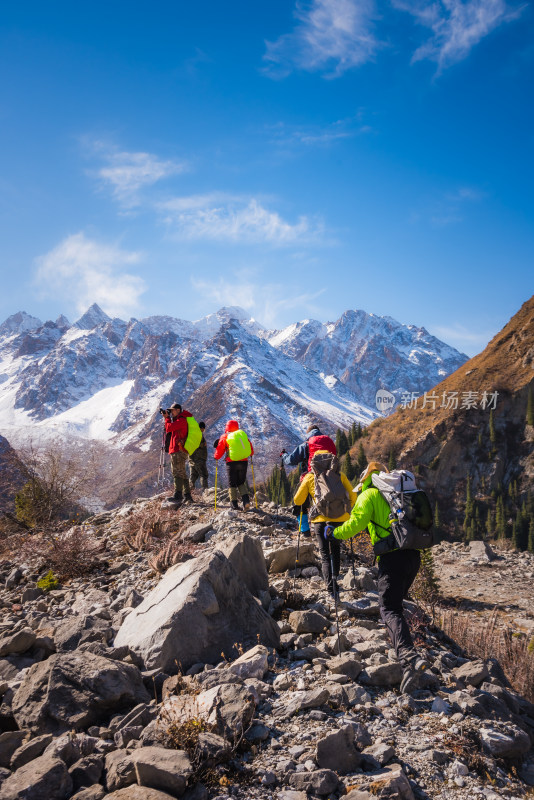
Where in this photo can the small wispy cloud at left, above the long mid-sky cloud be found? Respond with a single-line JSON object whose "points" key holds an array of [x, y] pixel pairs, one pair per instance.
{"points": [[127, 173]]}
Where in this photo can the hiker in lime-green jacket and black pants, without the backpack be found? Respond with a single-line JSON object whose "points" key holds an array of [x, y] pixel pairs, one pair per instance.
{"points": [[397, 571]]}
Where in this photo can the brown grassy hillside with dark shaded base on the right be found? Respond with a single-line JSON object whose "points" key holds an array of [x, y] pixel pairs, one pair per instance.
{"points": [[494, 448]]}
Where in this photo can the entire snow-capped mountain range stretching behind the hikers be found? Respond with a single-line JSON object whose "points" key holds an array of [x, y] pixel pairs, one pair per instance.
{"points": [[105, 379]]}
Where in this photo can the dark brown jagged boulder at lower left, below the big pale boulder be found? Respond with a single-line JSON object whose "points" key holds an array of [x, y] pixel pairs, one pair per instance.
{"points": [[71, 691]]}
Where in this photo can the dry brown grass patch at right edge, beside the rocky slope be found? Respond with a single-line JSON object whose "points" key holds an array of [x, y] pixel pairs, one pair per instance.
{"points": [[487, 639]]}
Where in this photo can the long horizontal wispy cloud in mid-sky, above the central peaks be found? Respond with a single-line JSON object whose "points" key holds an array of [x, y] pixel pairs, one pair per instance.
{"points": [[225, 217]]}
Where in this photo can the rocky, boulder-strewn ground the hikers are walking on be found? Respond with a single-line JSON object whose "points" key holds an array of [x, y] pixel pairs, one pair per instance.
{"points": [[193, 662]]}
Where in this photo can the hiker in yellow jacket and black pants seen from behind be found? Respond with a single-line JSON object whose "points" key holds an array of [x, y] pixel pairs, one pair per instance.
{"points": [[335, 511]]}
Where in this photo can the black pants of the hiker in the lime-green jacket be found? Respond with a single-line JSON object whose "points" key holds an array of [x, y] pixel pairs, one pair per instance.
{"points": [[396, 573]]}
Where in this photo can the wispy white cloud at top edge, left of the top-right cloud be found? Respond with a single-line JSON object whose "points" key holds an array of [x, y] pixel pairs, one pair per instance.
{"points": [[334, 35]]}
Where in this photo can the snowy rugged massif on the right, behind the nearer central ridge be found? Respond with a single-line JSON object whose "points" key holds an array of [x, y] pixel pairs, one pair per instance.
{"points": [[368, 352]]}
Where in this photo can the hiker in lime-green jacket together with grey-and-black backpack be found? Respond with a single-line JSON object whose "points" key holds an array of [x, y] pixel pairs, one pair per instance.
{"points": [[398, 518]]}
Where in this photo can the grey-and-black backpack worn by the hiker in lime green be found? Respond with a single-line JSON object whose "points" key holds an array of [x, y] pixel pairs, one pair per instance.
{"points": [[410, 513]]}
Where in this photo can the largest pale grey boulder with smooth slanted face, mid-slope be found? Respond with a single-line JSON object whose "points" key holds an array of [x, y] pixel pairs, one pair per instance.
{"points": [[199, 609]]}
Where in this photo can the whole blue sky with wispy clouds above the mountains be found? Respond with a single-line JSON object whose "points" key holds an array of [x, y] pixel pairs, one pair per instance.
{"points": [[296, 159]]}
